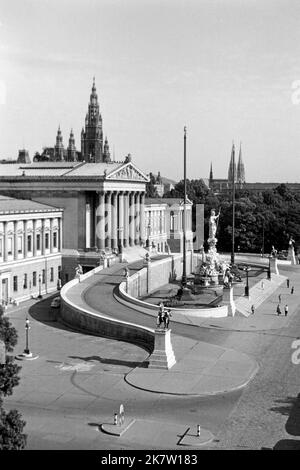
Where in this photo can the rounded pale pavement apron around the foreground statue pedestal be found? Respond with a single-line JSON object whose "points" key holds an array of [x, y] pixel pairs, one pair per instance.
{"points": [[201, 369]]}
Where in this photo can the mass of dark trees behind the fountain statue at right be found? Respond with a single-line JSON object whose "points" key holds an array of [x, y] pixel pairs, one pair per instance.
{"points": [[262, 219]]}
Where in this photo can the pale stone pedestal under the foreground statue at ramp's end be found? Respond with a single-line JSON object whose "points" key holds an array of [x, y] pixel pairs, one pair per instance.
{"points": [[163, 355]]}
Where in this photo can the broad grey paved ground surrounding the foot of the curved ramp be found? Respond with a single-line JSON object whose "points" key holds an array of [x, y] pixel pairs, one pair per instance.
{"points": [[79, 381]]}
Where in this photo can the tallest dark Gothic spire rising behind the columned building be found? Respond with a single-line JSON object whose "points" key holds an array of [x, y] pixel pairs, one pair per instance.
{"points": [[92, 136]]}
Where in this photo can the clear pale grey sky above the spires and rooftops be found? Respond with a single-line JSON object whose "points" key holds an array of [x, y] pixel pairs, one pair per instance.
{"points": [[228, 70]]}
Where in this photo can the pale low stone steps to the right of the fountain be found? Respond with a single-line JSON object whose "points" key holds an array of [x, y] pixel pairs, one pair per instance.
{"points": [[258, 295]]}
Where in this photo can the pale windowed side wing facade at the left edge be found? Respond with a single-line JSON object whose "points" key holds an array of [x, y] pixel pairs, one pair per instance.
{"points": [[30, 249]]}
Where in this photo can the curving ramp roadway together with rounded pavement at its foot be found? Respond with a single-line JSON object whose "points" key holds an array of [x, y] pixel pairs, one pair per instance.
{"points": [[202, 369]]}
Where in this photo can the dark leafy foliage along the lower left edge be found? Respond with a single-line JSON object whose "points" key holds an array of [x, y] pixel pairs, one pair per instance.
{"points": [[11, 423]]}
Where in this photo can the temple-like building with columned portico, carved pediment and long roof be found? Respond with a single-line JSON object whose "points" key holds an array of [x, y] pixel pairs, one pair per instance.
{"points": [[103, 203]]}
